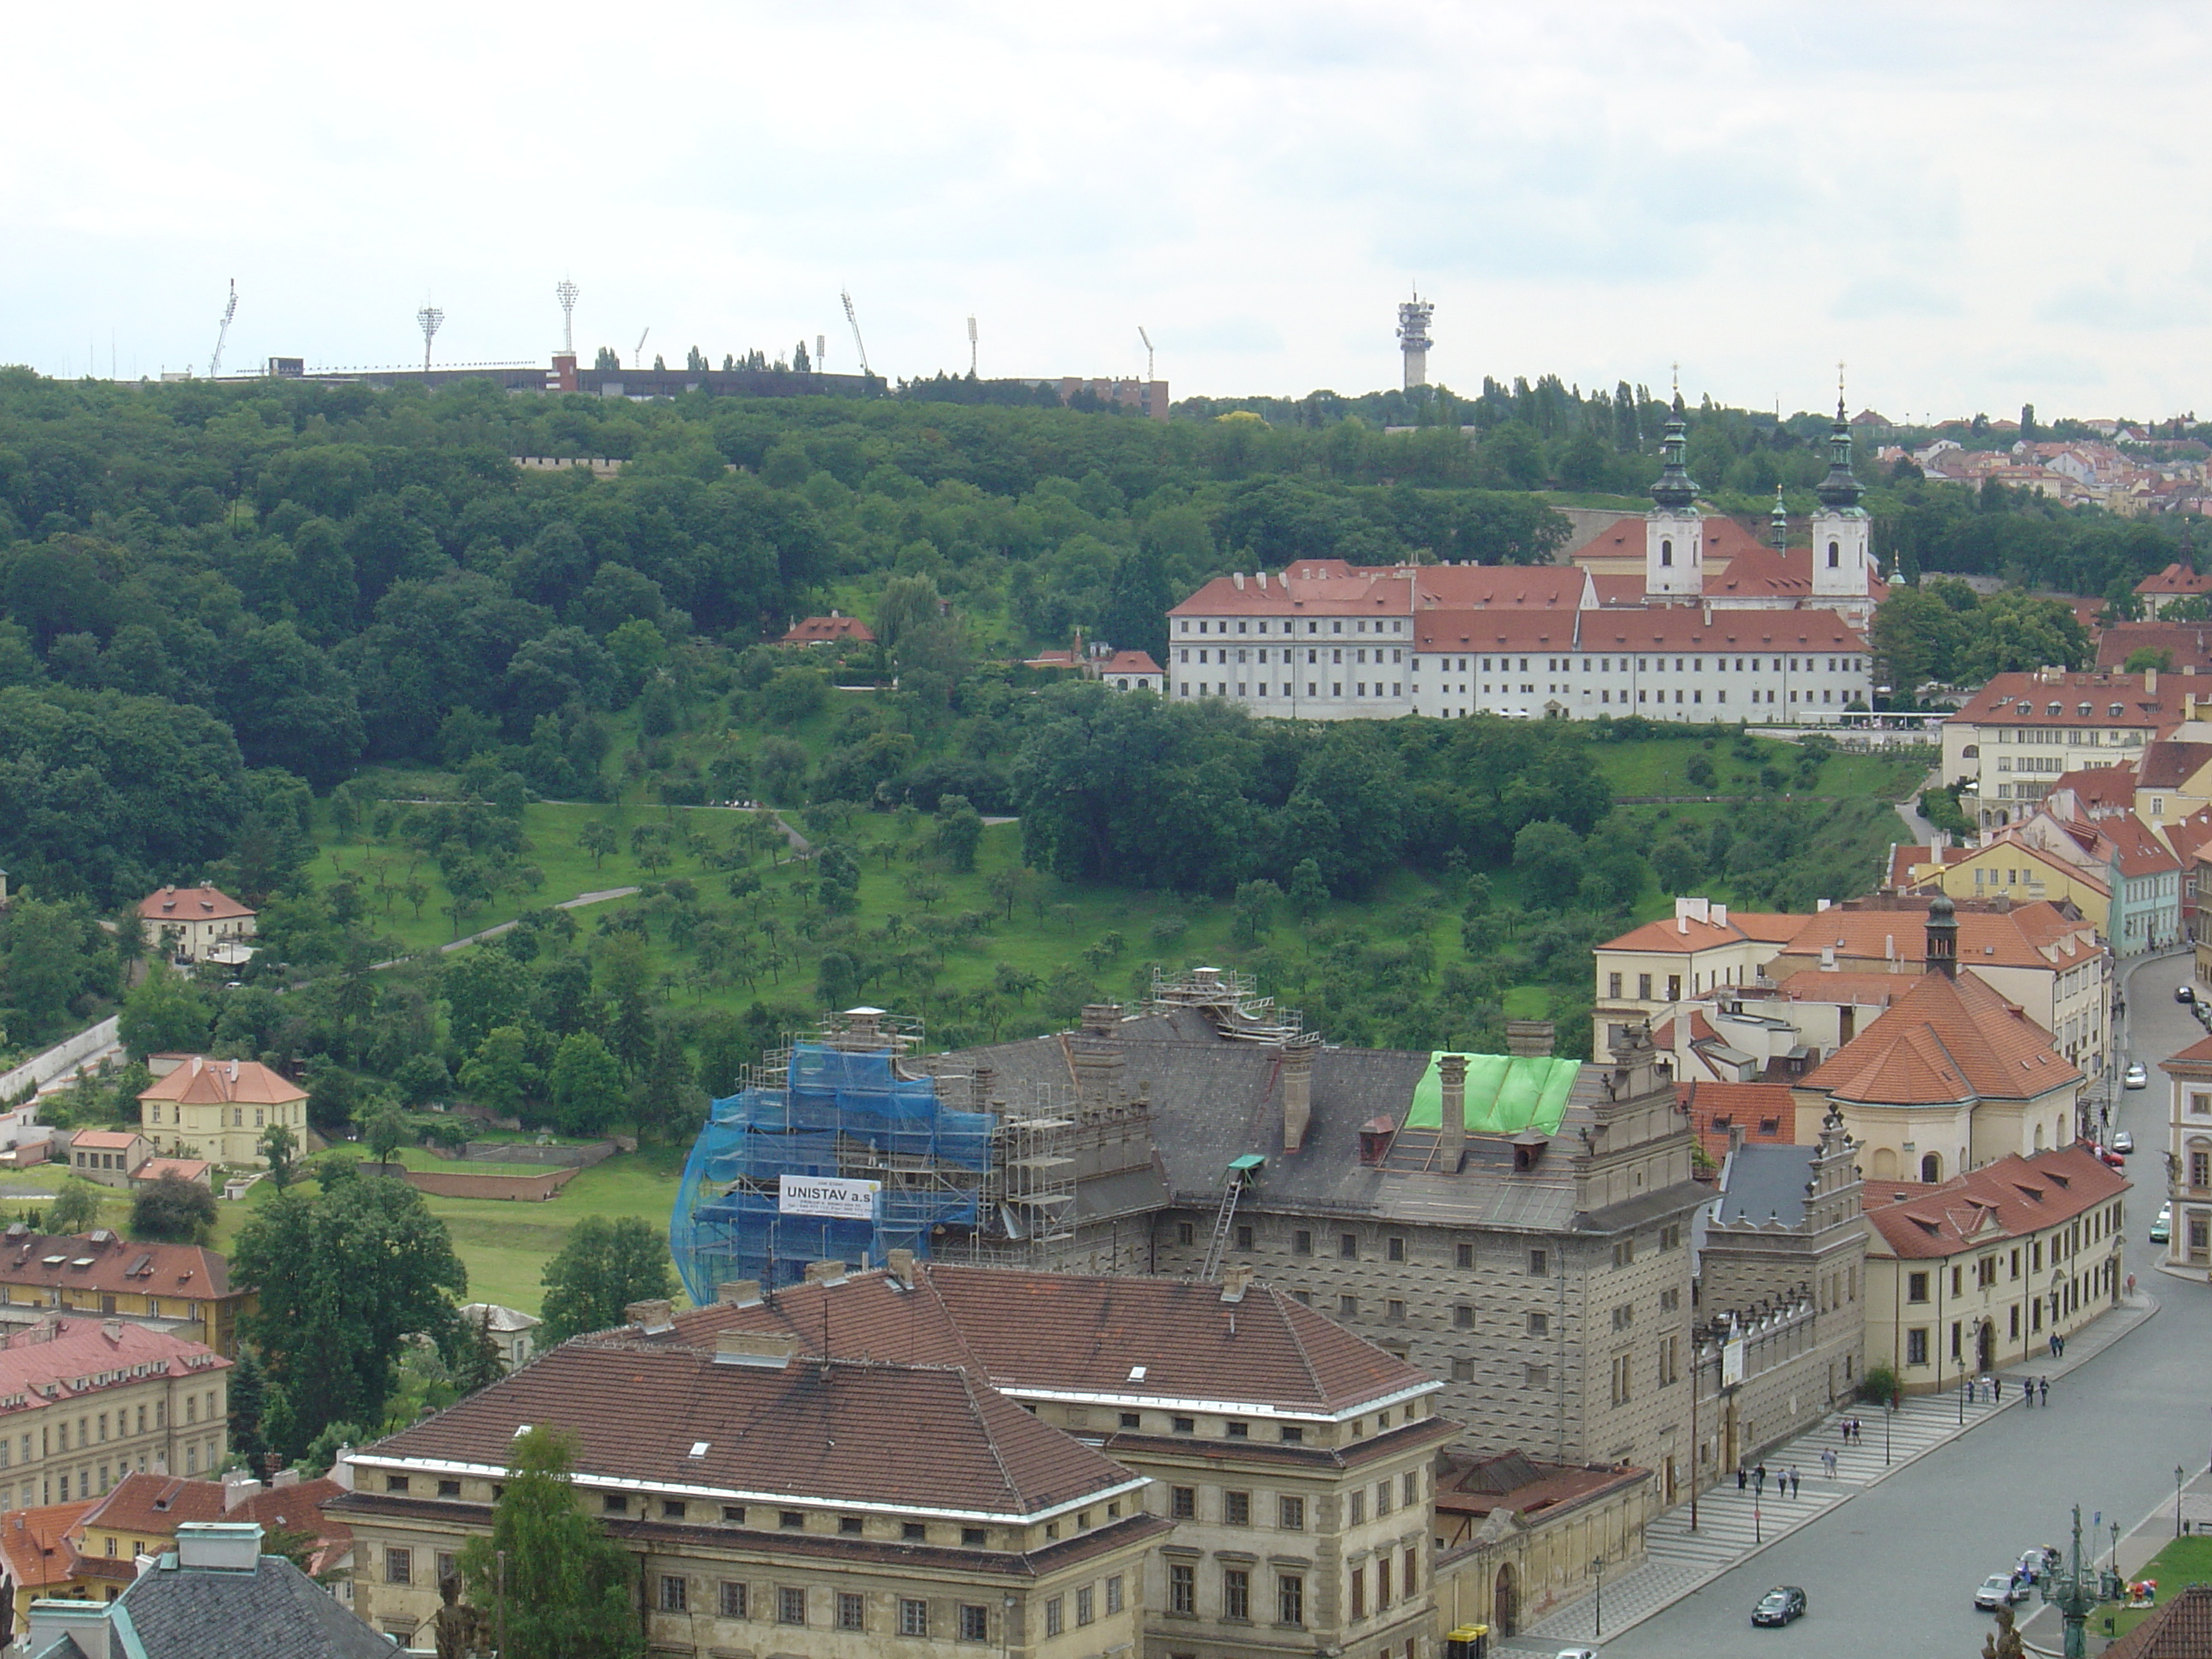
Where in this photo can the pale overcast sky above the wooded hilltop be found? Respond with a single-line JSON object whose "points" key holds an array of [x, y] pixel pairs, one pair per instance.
{"points": [[1972, 205]]}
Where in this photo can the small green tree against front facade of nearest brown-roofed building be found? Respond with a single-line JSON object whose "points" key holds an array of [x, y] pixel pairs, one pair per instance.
{"points": [[561, 1583]]}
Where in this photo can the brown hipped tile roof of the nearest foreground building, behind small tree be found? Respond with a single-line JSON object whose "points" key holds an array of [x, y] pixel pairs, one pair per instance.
{"points": [[842, 1432]]}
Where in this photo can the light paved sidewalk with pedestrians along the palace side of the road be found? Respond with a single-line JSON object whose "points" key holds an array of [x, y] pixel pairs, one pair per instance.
{"points": [[1729, 1530]]}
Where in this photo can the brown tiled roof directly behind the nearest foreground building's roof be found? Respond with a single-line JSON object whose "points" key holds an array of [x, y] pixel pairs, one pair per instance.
{"points": [[1074, 1335]]}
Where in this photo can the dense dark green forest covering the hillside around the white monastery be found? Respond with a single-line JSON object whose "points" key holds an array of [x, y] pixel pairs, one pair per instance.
{"points": [[244, 618]]}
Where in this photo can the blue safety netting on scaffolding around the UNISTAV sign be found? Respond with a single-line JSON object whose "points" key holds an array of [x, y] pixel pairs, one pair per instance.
{"points": [[842, 1114]]}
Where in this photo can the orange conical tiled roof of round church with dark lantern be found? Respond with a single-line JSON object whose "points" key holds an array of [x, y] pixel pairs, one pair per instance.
{"points": [[1948, 1041]]}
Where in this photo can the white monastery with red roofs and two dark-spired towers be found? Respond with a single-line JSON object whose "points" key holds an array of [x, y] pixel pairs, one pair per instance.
{"points": [[1713, 627]]}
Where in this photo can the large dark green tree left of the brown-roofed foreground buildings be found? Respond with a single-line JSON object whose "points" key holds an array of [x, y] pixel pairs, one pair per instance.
{"points": [[344, 1280]]}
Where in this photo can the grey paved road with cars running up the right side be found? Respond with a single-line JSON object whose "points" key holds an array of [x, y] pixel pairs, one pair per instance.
{"points": [[1895, 1569]]}
